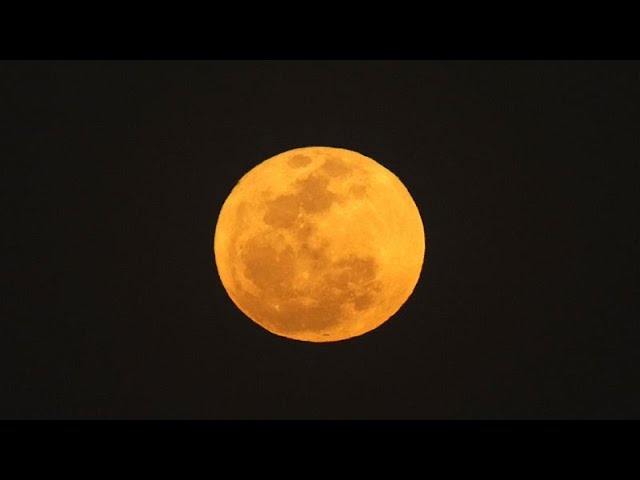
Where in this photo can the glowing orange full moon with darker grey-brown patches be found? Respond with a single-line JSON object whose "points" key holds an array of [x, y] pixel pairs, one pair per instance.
{"points": [[319, 244]]}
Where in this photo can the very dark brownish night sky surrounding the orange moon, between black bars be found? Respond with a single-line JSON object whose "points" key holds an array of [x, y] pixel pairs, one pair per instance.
{"points": [[526, 174]]}
